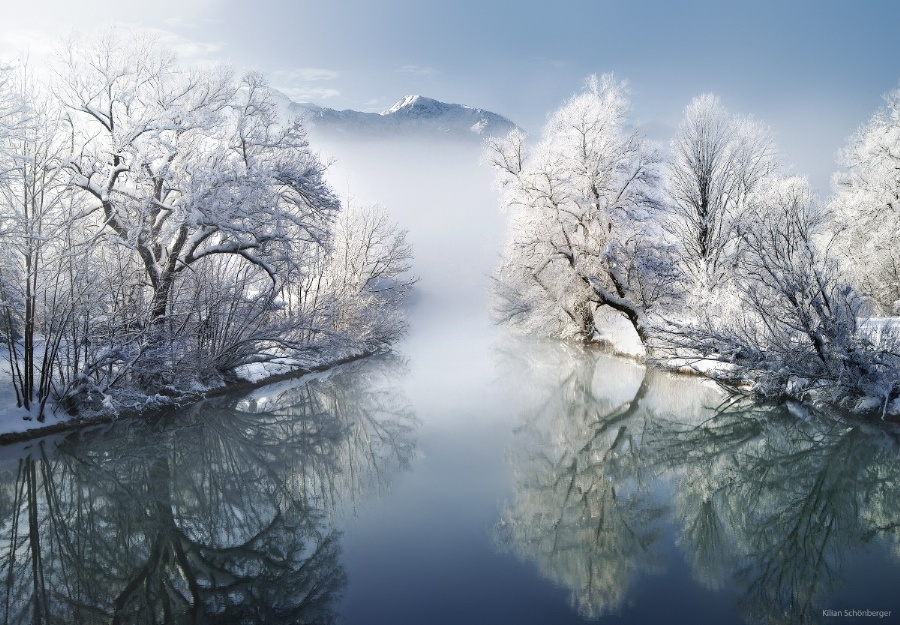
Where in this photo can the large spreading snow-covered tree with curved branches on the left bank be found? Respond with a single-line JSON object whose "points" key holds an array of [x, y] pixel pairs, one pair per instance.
{"points": [[195, 173]]}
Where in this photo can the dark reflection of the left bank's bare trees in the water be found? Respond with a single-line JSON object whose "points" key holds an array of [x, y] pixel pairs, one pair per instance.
{"points": [[220, 514]]}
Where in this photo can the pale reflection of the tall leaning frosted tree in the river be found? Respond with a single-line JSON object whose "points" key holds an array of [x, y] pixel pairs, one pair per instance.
{"points": [[584, 528]]}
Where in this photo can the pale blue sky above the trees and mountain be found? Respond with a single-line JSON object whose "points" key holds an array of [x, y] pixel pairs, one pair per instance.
{"points": [[813, 70]]}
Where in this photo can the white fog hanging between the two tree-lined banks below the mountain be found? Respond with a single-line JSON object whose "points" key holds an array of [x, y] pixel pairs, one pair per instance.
{"points": [[442, 194]]}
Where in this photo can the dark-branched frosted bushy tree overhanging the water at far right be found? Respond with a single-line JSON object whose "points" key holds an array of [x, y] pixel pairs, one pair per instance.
{"points": [[794, 330]]}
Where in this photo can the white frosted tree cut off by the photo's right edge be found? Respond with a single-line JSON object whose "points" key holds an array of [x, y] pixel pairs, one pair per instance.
{"points": [[866, 207]]}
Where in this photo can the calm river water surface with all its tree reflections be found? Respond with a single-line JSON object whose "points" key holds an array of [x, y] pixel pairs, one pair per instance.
{"points": [[566, 487]]}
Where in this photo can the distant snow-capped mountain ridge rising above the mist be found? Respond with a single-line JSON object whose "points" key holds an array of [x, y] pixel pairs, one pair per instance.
{"points": [[413, 114]]}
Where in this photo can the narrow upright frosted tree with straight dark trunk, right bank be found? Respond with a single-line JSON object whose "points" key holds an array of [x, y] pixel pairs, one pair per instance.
{"points": [[718, 161]]}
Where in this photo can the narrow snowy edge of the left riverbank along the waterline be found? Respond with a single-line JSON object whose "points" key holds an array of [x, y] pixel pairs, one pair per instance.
{"points": [[59, 422]]}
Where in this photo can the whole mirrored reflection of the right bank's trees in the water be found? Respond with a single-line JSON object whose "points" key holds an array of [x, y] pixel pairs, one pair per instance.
{"points": [[768, 500]]}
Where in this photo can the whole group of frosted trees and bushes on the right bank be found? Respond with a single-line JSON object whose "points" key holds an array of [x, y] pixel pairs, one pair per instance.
{"points": [[709, 255]]}
